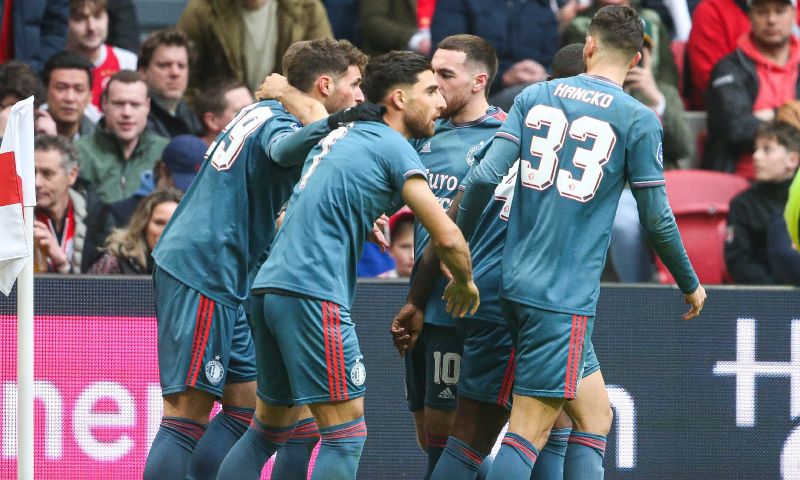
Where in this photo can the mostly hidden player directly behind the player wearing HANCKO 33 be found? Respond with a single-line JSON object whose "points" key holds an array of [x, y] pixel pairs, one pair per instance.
{"points": [[487, 368]]}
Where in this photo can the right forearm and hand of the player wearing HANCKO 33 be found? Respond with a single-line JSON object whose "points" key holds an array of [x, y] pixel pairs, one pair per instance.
{"points": [[663, 235]]}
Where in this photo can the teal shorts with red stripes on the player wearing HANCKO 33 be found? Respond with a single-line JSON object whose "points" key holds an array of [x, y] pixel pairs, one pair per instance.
{"points": [[551, 350]]}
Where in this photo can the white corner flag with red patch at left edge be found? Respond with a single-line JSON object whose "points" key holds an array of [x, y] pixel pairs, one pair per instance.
{"points": [[17, 189]]}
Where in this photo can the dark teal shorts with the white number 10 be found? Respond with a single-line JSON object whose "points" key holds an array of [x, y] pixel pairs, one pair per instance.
{"points": [[433, 368]]}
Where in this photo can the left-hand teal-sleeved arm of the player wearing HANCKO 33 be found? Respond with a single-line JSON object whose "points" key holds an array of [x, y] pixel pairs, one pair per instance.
{"points": [[480, 185]]}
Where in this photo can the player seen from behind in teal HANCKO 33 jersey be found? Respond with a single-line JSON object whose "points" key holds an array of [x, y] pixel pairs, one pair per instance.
{"points": [[578, 140]]}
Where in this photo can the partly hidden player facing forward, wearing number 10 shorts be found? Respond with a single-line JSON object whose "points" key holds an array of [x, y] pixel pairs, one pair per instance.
{"points": [[464, 66]]}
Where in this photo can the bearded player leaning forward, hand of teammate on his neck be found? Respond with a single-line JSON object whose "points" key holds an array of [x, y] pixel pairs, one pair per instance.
{"points": [[303, 293]]}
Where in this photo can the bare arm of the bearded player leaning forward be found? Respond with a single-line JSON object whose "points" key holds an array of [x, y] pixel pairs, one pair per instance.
{"points": [[461, 294]]}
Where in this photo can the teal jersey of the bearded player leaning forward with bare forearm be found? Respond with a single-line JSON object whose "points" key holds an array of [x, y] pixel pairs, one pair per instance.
{"points": [[349, 179]]}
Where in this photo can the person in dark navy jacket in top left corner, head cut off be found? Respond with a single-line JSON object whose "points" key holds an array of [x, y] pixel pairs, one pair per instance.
{"points": [[36, 30]]}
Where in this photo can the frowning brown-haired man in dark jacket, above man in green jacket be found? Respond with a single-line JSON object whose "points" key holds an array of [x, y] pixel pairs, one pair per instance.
{"points": [[164, 66]]}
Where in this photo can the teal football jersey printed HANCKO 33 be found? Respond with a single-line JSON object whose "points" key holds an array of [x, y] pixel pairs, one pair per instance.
{"points": [[580, 139]]}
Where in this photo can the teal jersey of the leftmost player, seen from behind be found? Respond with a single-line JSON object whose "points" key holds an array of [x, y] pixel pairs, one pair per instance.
{"points": [[226, 221]]}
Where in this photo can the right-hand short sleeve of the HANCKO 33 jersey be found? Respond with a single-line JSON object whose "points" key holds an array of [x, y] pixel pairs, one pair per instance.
{"points": [[644, 157]]}
